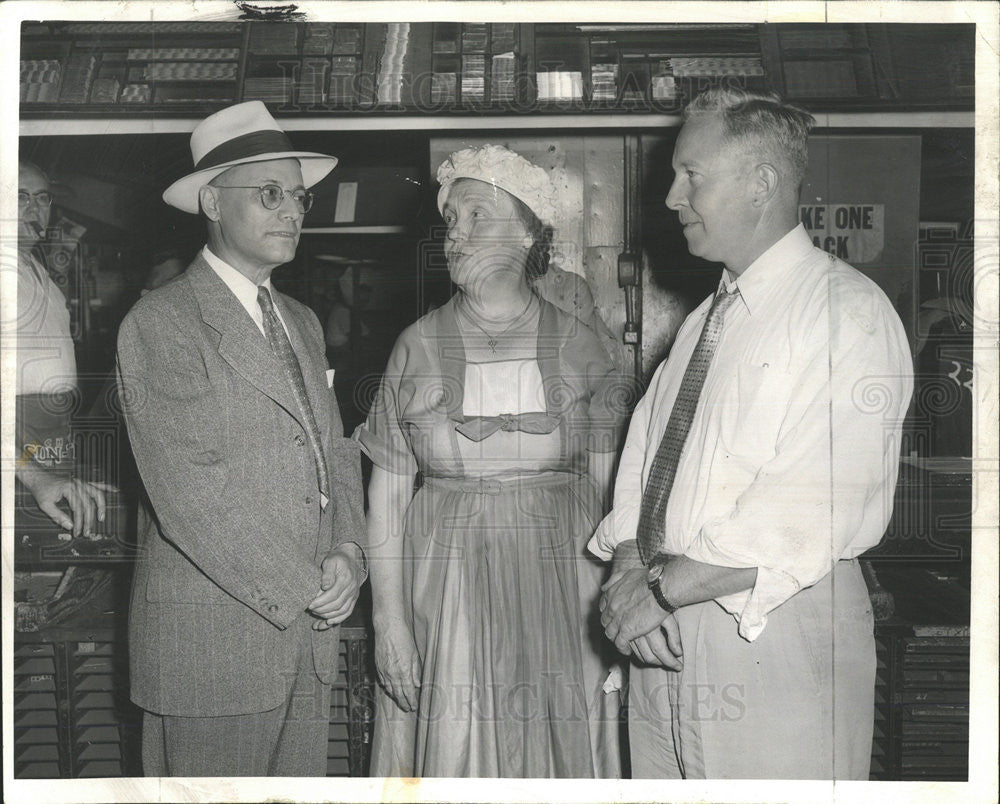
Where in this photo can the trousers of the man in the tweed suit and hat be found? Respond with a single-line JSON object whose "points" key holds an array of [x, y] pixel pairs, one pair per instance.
{"points": [[288, 740]]}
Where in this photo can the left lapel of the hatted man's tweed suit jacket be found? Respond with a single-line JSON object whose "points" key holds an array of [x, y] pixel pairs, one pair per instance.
{"points": [[241, 344]]}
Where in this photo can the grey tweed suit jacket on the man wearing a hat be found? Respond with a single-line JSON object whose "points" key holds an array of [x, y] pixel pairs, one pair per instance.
{"points": [[231, 550]]}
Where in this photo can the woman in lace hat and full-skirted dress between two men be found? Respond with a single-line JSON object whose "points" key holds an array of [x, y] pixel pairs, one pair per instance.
{"points": [[503, 411]]}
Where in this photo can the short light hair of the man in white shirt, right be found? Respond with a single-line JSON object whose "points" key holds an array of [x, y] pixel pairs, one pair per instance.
{"points": [[762, 123]]}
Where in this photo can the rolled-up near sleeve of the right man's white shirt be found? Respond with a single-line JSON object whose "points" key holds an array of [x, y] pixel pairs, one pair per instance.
{"points": [[827, 493]]}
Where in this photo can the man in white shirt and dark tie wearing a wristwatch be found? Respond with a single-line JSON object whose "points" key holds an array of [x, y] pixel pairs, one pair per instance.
{"points": [[749, 619]]}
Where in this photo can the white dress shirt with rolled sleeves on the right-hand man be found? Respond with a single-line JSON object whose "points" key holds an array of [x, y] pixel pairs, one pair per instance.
{"points": [[791, 461]]}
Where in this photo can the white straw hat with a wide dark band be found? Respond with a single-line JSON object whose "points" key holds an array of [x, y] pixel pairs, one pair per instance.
{"points": [[237, 135]]}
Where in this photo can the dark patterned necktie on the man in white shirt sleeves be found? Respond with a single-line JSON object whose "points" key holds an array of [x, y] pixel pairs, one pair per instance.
{"points": [[652, 519]]}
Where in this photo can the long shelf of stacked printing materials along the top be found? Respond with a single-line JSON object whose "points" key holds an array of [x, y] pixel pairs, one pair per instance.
{"points": [[492, 68]]}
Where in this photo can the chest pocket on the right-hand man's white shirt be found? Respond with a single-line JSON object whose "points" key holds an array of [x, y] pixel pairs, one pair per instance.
{"points": [[762, 392]]}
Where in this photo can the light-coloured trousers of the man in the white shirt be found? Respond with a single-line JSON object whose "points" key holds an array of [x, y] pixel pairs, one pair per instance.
{"points": [[796, 703]]}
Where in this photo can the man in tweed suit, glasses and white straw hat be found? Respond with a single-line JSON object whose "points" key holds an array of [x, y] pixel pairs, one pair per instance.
{"points": [[252, 555]]}
